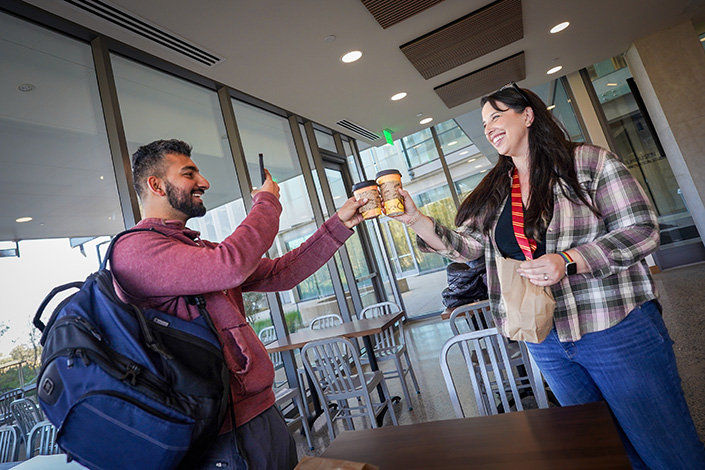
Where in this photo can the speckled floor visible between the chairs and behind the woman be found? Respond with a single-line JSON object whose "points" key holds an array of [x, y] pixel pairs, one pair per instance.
{"points": [[682, 293]]}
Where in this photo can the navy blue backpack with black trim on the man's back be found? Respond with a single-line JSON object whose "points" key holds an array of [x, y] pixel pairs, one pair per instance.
{"points": [[126, 387]]}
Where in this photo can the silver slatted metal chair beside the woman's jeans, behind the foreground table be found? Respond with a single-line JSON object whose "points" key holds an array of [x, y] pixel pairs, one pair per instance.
{"points": [[492, 375]]}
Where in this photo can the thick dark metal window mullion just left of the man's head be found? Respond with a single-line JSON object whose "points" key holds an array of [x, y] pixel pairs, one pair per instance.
{"points": [[117, 141]]}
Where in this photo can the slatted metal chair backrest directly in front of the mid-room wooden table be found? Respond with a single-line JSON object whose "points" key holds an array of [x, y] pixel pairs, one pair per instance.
{"points": [[333, 362]]}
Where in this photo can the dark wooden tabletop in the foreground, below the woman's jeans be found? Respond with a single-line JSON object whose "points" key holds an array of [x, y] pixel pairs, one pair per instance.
{"points": [[574, 437]]}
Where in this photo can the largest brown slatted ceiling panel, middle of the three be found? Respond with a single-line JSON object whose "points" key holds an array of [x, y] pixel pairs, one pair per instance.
{"points": [[467, 38]]}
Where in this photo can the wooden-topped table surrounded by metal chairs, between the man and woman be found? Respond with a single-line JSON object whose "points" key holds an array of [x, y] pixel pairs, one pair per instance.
{"points": [[354, 329]]}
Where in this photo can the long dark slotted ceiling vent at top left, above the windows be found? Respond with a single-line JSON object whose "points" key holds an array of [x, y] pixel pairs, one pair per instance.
{"points": [[147, 30]]}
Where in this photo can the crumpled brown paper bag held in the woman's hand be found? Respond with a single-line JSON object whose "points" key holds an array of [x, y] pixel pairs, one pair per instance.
{"points": [[529, 307]]}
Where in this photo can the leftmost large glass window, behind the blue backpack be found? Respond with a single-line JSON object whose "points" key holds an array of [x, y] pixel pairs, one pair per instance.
{"points": [[56, 168]]}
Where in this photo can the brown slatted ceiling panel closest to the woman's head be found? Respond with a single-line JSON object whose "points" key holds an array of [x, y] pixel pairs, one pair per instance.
{"points": [[482, 82]]}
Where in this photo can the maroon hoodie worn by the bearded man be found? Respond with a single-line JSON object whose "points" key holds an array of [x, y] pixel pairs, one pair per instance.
{"points": [[156, 272]]}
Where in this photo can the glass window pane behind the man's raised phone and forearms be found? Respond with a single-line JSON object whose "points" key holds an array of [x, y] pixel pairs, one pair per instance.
{"points": [[264, 132]]}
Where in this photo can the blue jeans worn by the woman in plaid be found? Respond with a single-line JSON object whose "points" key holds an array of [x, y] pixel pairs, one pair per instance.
{"points": [[632, 367]]}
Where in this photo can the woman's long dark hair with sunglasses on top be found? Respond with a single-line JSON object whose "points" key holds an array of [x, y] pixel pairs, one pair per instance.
{"points": [[551, 158]]}
